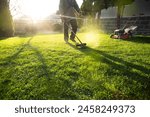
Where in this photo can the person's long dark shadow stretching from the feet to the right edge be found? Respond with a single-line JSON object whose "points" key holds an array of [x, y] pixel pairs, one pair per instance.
{"points": [[112, 60]]}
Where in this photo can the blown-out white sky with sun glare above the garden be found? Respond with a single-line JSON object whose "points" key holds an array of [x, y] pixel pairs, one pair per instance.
{"points": [[37, 9]]}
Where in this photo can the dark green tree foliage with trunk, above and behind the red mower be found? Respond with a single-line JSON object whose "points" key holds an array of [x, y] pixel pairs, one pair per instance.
{"points": [[96, 6]]}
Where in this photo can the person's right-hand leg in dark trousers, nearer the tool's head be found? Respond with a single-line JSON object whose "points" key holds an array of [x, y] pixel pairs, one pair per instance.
{"points": [[74, 26]]}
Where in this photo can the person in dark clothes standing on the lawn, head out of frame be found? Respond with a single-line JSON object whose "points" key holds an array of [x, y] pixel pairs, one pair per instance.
{"points": [[68, 9]]}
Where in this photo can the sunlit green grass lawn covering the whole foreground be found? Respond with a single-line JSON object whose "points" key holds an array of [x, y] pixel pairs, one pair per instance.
{"points": [[44, 67]]}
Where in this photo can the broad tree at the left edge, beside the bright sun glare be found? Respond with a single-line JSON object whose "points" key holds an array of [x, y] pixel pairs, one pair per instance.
{"points": [[6, 22]]}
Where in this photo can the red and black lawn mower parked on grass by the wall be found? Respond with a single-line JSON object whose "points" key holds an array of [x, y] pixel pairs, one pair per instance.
{"points": [[126, 32]]}
